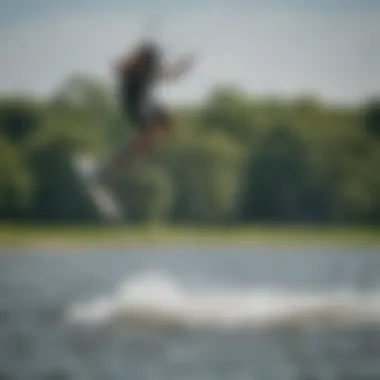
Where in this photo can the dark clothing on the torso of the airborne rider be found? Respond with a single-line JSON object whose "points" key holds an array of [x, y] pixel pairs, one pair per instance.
{"points": [[136, 86]]}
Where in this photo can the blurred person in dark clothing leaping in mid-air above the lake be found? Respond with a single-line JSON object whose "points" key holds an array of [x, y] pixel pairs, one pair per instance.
{"points": [[137, 73]]}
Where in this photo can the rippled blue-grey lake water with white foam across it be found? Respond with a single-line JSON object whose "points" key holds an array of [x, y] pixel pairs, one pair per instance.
{"points": [[191, 313]]}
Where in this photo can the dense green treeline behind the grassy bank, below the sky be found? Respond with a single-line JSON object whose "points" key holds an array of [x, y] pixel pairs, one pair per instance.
{"points": [[234, 159]]}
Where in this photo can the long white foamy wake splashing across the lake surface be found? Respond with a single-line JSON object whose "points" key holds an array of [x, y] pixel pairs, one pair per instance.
{"points": [[157, 300]]}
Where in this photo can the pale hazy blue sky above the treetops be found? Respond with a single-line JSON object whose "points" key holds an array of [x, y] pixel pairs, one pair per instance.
{"points": [[330, 48]]}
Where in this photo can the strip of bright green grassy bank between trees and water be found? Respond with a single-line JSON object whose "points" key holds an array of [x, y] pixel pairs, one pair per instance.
{"points": [[31, 236]]}
